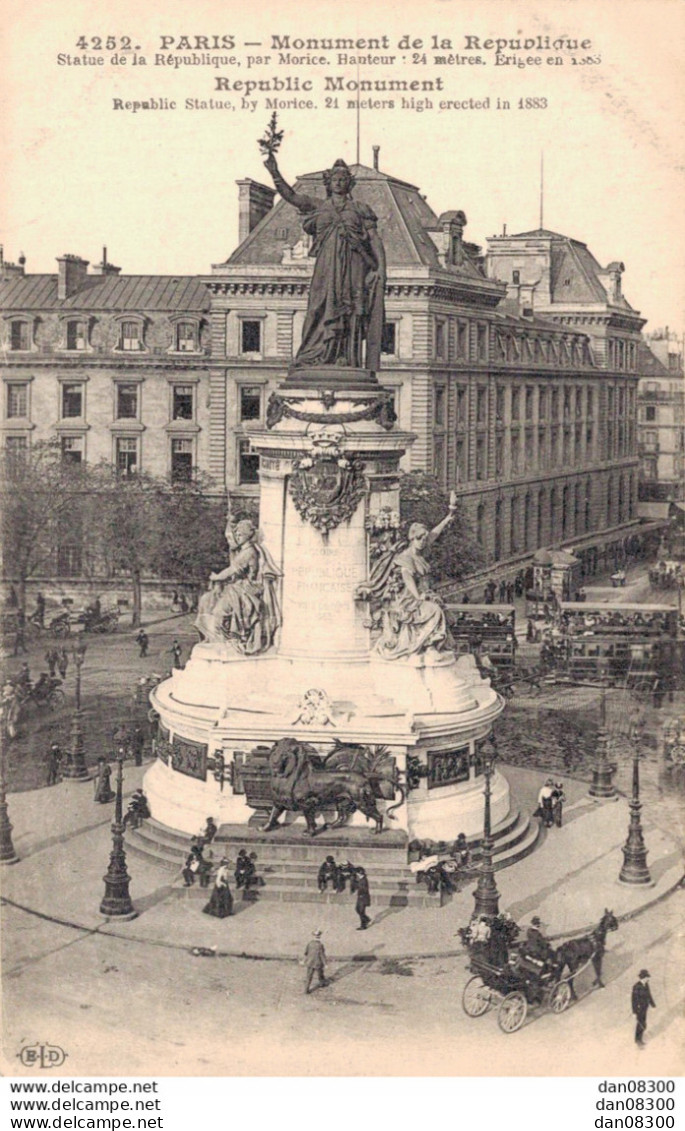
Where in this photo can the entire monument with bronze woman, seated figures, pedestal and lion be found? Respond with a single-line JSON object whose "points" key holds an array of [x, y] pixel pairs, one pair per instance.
{"points": [[325, 688]]}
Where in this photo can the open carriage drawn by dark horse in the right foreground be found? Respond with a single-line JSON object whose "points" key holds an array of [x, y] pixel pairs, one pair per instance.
{"points": [[515, 980]]}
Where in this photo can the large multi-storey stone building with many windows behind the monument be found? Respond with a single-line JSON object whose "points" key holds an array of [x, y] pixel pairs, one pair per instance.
{"points": [[517, 372]]}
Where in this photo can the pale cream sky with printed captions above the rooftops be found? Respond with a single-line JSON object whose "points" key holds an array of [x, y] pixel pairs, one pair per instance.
{"points": [[158, 188]]}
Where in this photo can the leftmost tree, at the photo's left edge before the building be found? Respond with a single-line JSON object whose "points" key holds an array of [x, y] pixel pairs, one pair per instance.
{"points": [[42, 499]]}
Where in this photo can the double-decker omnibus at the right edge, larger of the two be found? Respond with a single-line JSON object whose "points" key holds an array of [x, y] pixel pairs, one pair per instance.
{"points": [[620, 642]]}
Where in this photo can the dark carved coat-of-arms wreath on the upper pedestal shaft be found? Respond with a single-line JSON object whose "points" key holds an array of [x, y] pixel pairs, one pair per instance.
{"points": [[326, 488]]}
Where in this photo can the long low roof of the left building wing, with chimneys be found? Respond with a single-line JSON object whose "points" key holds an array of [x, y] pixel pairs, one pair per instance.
{"points": [[107, 292]]}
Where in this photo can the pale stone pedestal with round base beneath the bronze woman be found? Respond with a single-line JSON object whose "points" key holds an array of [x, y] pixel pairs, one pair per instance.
{"points": [[330, 465]]}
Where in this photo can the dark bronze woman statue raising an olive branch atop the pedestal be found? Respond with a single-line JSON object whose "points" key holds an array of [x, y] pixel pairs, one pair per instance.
{"points": [[346, 301]]}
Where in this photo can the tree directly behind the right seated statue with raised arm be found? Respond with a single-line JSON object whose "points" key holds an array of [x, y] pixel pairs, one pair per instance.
{"points": [[457, 552]]}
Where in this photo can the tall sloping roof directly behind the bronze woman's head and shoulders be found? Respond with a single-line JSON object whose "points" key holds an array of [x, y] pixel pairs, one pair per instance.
{"points": [[405, 221]]}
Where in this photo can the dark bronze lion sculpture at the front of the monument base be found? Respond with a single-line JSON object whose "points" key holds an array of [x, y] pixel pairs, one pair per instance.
{"points": [[346, 781]]}
